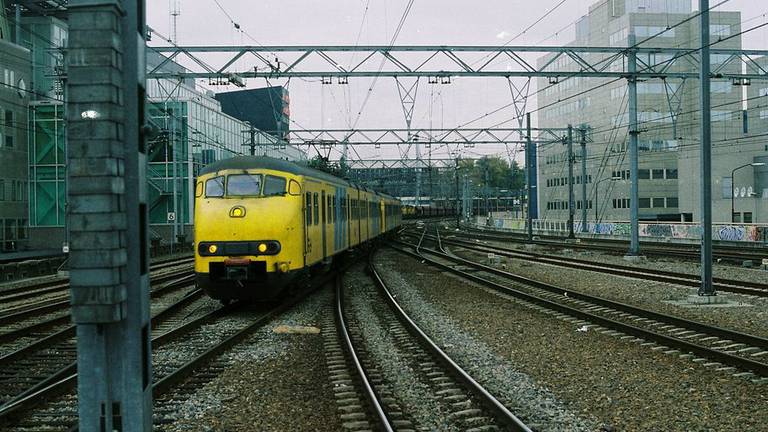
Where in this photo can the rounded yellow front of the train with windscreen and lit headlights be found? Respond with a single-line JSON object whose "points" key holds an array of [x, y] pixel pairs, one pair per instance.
{"points": [[248, 233]]}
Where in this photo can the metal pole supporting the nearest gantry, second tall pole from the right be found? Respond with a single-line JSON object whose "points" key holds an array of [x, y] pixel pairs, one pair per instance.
{"points": [[634, 196]]}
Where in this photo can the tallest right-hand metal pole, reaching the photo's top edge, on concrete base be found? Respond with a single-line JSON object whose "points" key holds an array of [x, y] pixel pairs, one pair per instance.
{"points": [[706, 289]]}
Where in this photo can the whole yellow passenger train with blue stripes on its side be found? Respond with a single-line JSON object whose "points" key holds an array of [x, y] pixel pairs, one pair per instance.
{"points": [[262, 223]]}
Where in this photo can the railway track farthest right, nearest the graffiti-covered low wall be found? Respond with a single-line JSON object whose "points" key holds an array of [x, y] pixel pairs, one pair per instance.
{"points": [[691, 252]]}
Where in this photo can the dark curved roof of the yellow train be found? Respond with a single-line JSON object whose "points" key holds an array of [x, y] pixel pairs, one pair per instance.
{"points": [[251, 162]]}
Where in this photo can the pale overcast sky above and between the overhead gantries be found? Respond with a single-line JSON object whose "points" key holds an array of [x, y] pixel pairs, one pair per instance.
{"points": [[430, 22]]}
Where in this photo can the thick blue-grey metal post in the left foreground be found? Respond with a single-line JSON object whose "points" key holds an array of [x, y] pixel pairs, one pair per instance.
{"points": [[108, 212]]}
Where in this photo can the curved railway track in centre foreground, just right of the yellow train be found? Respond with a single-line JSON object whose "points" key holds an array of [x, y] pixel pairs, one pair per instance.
{"points": [[471, 406]]}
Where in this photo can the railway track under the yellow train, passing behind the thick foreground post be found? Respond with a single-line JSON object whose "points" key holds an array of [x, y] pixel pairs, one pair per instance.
{"points": [[185, 355]]}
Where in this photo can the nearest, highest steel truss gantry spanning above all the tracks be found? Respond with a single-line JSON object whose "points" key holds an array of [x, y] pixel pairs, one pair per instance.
{"points": [[440, 62]]}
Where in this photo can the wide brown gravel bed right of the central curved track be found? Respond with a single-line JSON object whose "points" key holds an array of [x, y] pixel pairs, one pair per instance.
{"points": [[616, 384]]}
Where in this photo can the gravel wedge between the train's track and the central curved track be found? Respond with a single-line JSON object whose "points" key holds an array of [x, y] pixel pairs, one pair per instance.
{"points": [[274, 382]]}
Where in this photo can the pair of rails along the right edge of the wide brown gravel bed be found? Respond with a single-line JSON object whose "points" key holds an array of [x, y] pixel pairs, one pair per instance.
{"points": [[725, 358]]}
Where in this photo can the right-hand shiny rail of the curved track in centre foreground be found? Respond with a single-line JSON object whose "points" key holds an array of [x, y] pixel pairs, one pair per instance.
{"points": [[501, 412]]}
